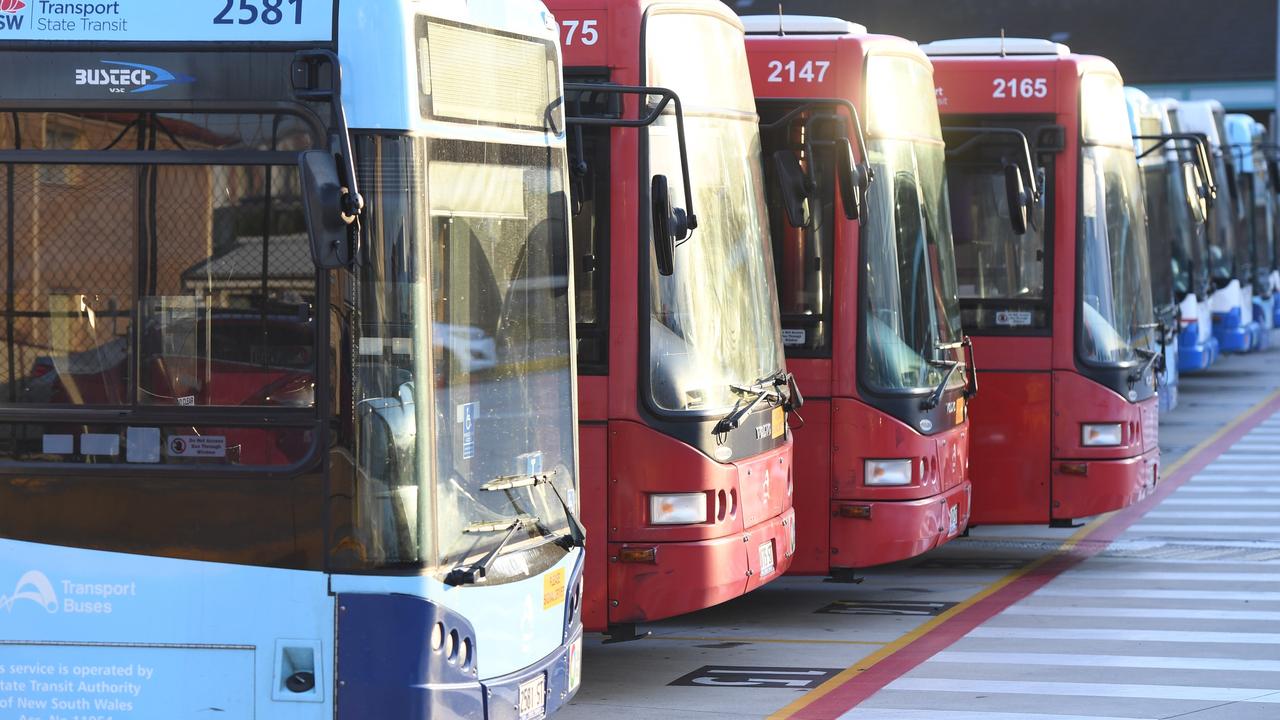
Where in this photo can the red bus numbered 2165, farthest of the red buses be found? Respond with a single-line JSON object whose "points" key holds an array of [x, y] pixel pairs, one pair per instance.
{"points": [[1062, 316]]}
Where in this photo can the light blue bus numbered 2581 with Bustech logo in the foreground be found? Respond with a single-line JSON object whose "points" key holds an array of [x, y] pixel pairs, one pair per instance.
{"points": [[287, 380]]}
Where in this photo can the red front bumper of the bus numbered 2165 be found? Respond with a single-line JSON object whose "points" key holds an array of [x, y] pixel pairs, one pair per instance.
{"points": [[1090, 487]]}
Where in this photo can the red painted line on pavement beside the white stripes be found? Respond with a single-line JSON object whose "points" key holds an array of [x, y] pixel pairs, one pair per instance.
{"points": [[851, 694]]}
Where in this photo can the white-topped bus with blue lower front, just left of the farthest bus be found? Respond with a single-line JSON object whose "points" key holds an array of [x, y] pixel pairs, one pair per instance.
{"points": [[1232, 268]]}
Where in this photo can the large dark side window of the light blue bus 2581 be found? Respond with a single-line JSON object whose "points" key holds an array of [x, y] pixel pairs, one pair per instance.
{"points": [[150, 286]]}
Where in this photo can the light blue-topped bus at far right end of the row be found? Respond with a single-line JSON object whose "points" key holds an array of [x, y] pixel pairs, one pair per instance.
{"points": [[1256, 207]]}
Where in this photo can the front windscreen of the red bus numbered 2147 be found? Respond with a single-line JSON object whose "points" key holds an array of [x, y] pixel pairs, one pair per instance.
{"points": [[909, 309]]}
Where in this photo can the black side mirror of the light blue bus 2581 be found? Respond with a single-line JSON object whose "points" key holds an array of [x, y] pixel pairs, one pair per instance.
{"points": [[330, 227]]}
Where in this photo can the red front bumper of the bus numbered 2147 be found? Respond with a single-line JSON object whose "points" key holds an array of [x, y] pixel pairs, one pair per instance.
{"points": [[866, 534]]}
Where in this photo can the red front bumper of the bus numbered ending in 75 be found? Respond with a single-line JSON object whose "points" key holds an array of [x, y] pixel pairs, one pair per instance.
{"points": [[683, 577]]}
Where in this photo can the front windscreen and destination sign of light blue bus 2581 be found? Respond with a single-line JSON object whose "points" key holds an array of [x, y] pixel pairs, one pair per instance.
{"points": [[464, 380]]}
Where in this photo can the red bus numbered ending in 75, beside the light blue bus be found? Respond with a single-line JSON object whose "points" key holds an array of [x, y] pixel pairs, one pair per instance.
{"points": [[683, 384]]}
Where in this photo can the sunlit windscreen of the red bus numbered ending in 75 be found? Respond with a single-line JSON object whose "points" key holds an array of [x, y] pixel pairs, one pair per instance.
{"points": [[715, 322]]}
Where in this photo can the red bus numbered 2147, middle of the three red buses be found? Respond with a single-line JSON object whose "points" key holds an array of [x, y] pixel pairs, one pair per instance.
{"points": [[867, 286]]}
